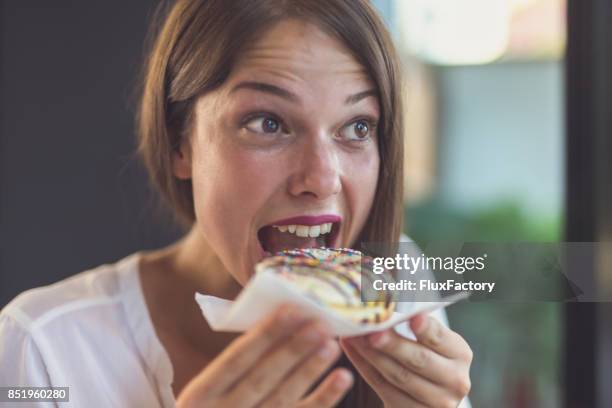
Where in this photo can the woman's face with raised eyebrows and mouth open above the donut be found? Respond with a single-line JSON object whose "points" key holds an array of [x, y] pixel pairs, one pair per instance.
{"points": [[284, 154]]}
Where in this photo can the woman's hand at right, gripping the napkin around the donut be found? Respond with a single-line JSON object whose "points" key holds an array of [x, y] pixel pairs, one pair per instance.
{"points": [[433, 371]]}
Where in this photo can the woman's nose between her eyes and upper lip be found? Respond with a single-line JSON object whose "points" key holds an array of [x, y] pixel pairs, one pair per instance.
{"points": [[317, 169]]}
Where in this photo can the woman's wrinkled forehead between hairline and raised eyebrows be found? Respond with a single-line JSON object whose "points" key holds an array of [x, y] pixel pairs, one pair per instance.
{"points": [[300, 53]]}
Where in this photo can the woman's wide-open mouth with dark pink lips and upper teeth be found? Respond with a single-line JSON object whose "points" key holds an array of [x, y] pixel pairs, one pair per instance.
{"points": [[302, 233]]}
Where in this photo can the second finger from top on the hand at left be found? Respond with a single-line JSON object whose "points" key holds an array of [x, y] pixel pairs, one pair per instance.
{"points": [[263, 378]]}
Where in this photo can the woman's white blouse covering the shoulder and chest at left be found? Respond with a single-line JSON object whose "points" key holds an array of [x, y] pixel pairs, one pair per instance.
{"points": [[91, 332]]}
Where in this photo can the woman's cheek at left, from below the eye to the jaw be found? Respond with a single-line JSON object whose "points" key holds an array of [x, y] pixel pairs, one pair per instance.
{"points": [[230, 187]]}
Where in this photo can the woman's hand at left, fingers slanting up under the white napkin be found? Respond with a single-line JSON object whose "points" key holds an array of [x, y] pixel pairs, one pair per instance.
{"points": [[272, 365]]}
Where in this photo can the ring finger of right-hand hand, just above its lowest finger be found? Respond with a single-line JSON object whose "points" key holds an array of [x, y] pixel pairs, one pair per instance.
{"points": [[402, 377]]}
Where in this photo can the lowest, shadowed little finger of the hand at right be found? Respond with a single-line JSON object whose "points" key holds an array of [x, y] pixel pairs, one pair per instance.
{"points": [[391, 395]]}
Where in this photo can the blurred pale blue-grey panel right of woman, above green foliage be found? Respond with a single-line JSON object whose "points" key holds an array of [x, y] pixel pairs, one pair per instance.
{"points": [[501, 129]]}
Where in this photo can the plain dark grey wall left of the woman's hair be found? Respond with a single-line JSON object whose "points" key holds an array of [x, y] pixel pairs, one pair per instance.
{"points": [[72, 193]]}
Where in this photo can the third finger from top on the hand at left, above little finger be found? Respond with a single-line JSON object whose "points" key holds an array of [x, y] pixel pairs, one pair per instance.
{"points": [[300, 380]]}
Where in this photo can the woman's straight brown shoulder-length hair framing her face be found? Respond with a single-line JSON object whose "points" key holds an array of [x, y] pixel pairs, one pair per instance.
{"points": [[193, 49]]}
